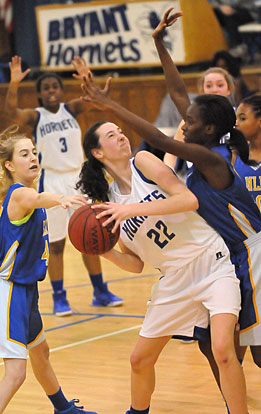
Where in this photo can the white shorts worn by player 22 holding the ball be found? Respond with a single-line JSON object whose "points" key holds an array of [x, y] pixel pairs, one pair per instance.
{"points": [[183, 302]]}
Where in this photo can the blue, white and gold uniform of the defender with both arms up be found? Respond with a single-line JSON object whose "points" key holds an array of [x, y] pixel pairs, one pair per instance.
{"points": [[233, 213]]}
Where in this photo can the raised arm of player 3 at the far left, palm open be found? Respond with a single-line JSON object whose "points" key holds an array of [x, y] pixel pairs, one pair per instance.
{"points": [[20, 116]]}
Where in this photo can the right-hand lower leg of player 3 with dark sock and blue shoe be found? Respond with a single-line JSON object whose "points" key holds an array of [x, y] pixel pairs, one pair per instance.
{"points": [[101, 294]]}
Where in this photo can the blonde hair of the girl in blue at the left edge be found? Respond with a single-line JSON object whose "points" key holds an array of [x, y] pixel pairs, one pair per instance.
{"points": [[8, 139]]}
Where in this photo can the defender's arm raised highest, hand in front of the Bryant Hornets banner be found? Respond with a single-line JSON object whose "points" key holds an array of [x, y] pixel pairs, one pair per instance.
{"points": [[174, 81]]}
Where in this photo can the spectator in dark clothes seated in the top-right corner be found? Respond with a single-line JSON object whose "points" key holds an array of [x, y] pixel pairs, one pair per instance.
{"points": [[231, 14]]}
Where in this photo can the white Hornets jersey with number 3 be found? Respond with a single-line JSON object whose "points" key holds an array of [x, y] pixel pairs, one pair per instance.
{"points": [[58, 140]]}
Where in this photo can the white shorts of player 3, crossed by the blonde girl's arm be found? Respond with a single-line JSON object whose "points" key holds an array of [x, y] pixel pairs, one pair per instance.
{"points": [[58, 217]]}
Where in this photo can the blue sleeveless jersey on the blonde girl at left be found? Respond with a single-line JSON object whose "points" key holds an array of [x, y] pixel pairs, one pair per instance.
{"points": [[24, 245]]}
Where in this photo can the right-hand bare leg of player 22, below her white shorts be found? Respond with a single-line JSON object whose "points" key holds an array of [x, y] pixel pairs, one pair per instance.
{"points": [[222, 338]]}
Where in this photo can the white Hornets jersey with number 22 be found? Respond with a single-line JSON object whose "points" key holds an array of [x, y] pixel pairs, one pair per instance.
{"points": [[166, 242]]}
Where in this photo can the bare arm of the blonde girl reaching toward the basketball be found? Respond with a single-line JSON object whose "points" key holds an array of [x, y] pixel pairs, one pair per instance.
{"points": [[23, 200]]}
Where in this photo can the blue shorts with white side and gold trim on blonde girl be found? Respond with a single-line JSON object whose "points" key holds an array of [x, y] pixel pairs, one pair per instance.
{"points": [[20, 320]]}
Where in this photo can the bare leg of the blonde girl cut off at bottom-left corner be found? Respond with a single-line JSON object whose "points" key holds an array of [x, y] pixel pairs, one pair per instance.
{"points": [[14, 376]]}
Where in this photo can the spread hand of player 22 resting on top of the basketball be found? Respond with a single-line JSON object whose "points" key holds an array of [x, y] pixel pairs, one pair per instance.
{"points": [[116, 212]]}
